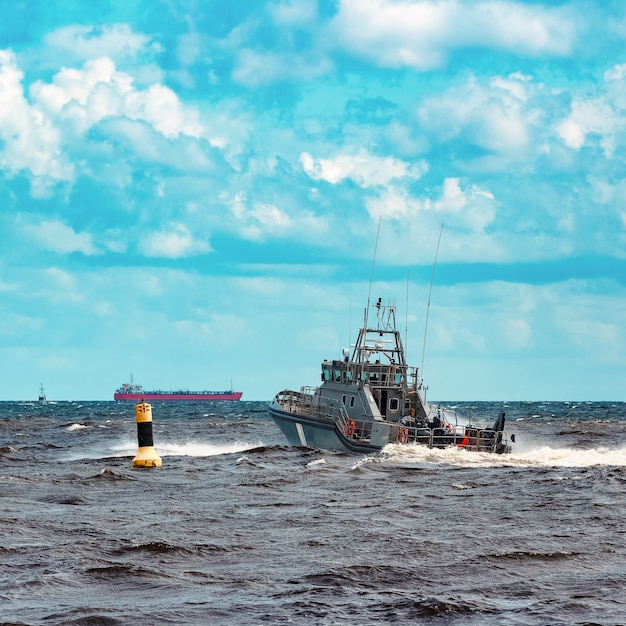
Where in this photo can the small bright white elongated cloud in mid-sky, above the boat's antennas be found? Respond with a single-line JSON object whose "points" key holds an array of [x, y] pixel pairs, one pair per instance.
{"points": [[366, 170]]}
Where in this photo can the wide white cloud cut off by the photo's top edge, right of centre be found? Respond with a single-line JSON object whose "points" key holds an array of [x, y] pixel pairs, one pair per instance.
{"points": [[421, 34]]}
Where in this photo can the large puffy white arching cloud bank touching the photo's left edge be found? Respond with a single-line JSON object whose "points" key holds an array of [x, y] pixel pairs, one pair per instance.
{"points": [[38, 133]]}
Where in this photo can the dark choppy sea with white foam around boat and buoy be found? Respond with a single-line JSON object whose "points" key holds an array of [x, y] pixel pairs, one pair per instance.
{"points": [[237, 527]]}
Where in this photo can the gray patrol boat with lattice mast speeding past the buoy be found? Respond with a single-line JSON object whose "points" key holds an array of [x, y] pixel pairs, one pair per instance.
{"points": [[371, 398]]}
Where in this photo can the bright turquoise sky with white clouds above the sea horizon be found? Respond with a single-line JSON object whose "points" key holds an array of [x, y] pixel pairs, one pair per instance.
{"points": [[190, 191]]}
